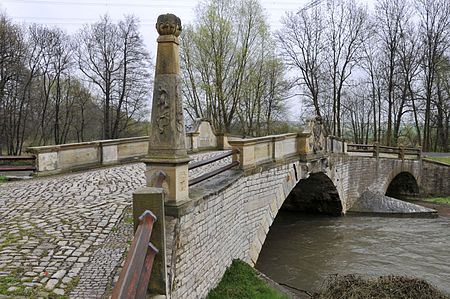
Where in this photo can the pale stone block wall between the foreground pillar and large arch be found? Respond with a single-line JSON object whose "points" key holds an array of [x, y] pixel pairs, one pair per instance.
{"points": [[220, 227]]}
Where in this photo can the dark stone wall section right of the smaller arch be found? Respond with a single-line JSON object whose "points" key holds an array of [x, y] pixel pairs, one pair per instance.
{"points": [[435, 178]]}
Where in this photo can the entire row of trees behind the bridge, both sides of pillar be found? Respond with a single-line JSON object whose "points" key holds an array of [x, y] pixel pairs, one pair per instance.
{"points": [[381, 76]]}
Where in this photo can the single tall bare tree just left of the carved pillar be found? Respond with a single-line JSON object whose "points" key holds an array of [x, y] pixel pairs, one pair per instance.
{"points": [[113, 57]]}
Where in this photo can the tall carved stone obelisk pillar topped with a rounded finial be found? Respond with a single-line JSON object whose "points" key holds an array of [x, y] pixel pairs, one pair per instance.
{"points": [[167, 146]]}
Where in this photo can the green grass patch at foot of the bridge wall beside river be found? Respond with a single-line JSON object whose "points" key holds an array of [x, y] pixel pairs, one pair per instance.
{"points": [[240, 281]]}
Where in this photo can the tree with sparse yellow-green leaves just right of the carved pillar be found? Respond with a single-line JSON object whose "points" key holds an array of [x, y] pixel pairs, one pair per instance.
{"points": [[223, 68]]}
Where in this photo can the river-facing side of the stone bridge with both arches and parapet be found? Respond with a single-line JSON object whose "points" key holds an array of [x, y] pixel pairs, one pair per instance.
{"points": [[228, 217]]}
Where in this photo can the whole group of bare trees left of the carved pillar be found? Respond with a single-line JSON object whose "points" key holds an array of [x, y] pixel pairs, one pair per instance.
{"points": [[57, 88]]}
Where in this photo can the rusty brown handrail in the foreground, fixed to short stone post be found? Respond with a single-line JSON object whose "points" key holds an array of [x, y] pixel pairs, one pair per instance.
{"points": [[136, 272]]}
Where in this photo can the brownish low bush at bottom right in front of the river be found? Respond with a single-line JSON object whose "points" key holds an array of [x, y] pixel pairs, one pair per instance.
{"points": [[383, 287]]}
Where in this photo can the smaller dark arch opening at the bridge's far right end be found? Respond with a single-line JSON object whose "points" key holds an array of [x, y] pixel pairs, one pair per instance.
{"points": [[403, 186]]}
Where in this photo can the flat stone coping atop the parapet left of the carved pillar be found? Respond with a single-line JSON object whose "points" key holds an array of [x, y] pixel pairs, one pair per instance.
{"points": [[96, 143]]}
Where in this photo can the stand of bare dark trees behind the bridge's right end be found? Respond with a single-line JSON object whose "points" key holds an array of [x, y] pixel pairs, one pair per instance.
{"points": [[381, 76]]}
